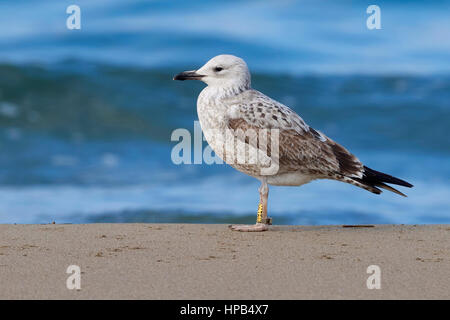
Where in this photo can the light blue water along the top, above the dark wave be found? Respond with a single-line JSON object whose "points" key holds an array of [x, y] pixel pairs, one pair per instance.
{"points": [[290, 36]]}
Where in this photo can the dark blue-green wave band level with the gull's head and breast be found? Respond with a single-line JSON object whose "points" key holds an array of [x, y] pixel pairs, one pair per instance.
{"points": [[86, 101]]}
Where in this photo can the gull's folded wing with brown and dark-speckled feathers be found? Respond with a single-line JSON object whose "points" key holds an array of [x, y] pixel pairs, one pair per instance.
{"points": [[301, 148]]}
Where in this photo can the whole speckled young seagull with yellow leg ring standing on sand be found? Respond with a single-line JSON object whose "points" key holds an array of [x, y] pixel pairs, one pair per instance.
{"points": [[302, 154]]}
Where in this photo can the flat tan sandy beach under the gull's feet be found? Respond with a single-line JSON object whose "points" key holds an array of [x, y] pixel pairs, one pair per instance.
{"points": [[189, 261]]}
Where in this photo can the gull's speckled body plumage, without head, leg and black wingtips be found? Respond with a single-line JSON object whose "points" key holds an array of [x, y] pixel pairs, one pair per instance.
{"points": [[304, 153]]}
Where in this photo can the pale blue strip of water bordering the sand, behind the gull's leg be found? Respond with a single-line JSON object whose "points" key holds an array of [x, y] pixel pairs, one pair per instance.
{"points": [[203, 202]]}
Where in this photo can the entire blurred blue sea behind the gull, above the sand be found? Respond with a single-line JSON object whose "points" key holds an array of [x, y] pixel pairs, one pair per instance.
{"points": [[86, 115]]}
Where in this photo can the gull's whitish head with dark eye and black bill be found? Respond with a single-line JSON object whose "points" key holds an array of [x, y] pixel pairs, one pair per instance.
{"points": [[225, 71]]}
